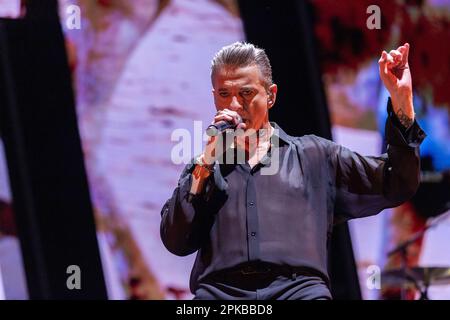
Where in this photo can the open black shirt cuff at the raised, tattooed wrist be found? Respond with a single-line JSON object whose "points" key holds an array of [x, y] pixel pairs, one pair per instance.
{"points": [[398, 135]]}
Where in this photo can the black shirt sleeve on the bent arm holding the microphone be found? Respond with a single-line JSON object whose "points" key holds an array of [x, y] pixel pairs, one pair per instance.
{"points": [[187, 219]]}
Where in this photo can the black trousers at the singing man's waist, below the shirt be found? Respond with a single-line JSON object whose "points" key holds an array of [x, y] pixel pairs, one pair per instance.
{"points": [[267, 286]]}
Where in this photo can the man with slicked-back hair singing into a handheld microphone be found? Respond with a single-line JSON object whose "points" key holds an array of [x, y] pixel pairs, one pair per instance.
{"points": [[265, 236]]}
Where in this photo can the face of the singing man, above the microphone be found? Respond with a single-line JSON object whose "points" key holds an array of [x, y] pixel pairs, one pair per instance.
{"points": [[242, 90]]}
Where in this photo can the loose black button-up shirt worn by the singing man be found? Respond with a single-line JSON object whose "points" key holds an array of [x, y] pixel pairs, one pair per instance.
{"points": [[286, 218]]}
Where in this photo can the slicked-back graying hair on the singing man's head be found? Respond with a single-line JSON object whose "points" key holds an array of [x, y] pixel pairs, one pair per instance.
{"points": [[243, 54]]}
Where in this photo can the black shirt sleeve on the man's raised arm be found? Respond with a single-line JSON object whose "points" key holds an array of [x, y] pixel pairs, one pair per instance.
{"points": [[365, 185]]}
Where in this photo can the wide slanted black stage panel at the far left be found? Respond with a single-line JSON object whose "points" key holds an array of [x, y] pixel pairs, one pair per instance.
{"points": [[38, 124]]}
